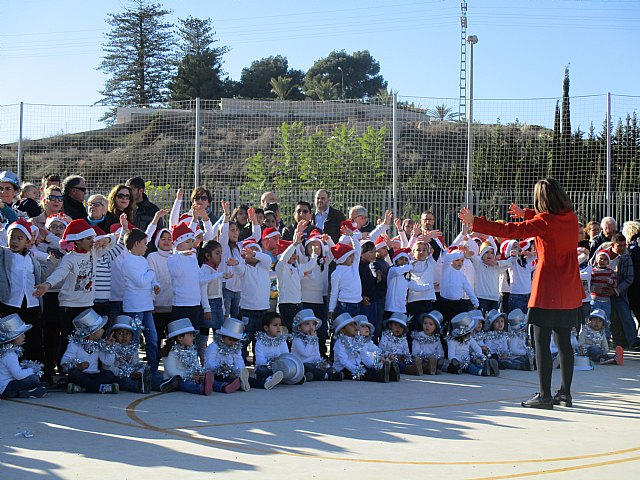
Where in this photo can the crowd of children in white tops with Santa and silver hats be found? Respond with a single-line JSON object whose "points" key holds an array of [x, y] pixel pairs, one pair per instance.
{"points": [[228, 293]]}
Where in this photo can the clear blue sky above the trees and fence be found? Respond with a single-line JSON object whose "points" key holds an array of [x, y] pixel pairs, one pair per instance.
{"points": [[49, 51]]}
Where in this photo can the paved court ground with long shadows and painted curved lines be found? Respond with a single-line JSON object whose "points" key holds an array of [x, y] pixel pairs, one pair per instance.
{"points": [[444, 426]]}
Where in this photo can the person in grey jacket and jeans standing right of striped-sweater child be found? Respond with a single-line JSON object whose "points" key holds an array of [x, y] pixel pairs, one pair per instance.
{"points": [[623, 327]]}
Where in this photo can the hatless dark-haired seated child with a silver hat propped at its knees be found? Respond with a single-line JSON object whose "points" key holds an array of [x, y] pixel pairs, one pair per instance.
{"points": [[270, 344]]}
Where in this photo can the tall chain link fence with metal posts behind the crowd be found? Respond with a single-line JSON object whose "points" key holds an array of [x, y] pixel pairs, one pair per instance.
{"points": [[240, 148]]}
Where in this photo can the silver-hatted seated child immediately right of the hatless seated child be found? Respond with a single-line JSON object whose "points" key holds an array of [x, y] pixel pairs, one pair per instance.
{"points": [[305, 345]]}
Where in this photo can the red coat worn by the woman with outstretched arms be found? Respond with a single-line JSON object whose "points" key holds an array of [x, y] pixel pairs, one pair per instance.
{"points": [[556, 281]]}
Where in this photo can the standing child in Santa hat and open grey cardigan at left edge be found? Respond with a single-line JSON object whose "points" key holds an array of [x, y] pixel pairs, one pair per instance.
{"points": [[20, 272]]}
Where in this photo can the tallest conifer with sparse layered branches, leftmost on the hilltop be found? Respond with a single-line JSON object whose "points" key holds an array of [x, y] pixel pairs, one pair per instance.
{"points": [[137, 56]]}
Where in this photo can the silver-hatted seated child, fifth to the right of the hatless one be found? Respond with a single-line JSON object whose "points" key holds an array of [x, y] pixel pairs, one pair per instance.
{"points": [[427, 344]]}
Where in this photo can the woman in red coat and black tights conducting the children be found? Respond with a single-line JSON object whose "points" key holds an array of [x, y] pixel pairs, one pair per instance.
{"points": [[556, 293]]}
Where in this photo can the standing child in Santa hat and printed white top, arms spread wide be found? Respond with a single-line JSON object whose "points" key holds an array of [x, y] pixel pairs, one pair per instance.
{"points": [[76, 273]]}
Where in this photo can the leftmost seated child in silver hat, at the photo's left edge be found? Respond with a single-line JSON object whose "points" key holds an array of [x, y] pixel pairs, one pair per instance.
{"points": [[17, 379]]}
